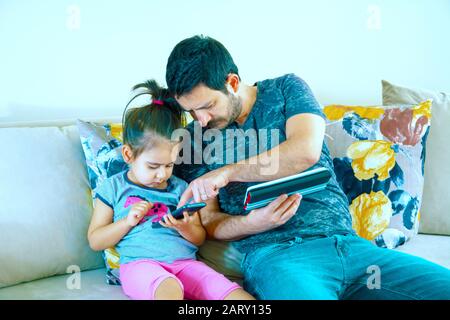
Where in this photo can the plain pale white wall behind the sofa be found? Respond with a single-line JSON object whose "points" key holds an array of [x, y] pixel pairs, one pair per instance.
{"points": [[68, 59]]}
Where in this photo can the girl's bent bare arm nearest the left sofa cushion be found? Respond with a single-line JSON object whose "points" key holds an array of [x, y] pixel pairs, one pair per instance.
{"points": [[102, 232]]}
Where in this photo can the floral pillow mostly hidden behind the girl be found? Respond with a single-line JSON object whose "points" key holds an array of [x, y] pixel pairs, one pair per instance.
{"points": [[102, 145]]}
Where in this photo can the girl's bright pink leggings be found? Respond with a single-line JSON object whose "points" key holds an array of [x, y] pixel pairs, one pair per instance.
{"points": [[141, 278]]}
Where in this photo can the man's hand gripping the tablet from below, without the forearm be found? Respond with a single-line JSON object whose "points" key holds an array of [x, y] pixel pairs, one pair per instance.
{"points": [[275, 214]]}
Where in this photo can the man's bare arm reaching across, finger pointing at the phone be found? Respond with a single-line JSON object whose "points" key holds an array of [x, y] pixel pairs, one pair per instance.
{"points": [[301, 150]]}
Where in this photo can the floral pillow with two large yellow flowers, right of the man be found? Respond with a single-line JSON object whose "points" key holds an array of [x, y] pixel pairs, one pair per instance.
{"points": [[379, 155]]}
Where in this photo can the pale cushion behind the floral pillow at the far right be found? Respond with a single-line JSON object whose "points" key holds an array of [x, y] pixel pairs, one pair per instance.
{"points": [[435, 216]]}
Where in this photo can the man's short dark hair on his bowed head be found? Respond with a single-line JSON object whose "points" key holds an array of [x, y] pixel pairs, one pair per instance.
{"points": [[196, 60]]}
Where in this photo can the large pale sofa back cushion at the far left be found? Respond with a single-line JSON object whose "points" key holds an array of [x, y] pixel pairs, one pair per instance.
{"points": [[46, 204]]}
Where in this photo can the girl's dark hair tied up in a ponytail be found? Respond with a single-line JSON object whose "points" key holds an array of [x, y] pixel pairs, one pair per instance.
{"points": [[144, 126]]}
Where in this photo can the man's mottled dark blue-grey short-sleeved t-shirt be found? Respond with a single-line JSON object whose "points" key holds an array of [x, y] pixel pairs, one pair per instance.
{"points": [[322, 213]]}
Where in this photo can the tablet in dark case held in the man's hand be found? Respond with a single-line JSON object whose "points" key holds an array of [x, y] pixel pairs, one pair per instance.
{"points": [[307, 182]]}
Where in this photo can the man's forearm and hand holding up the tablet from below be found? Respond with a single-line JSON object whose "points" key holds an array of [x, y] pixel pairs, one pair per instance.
{"points": [[222, 226]]}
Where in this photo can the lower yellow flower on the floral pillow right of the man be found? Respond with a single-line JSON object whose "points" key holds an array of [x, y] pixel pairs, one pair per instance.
{"points": [[371, 214]]}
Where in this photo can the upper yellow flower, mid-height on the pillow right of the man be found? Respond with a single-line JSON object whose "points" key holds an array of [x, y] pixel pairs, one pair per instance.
{"points": [[371, 157]]}
